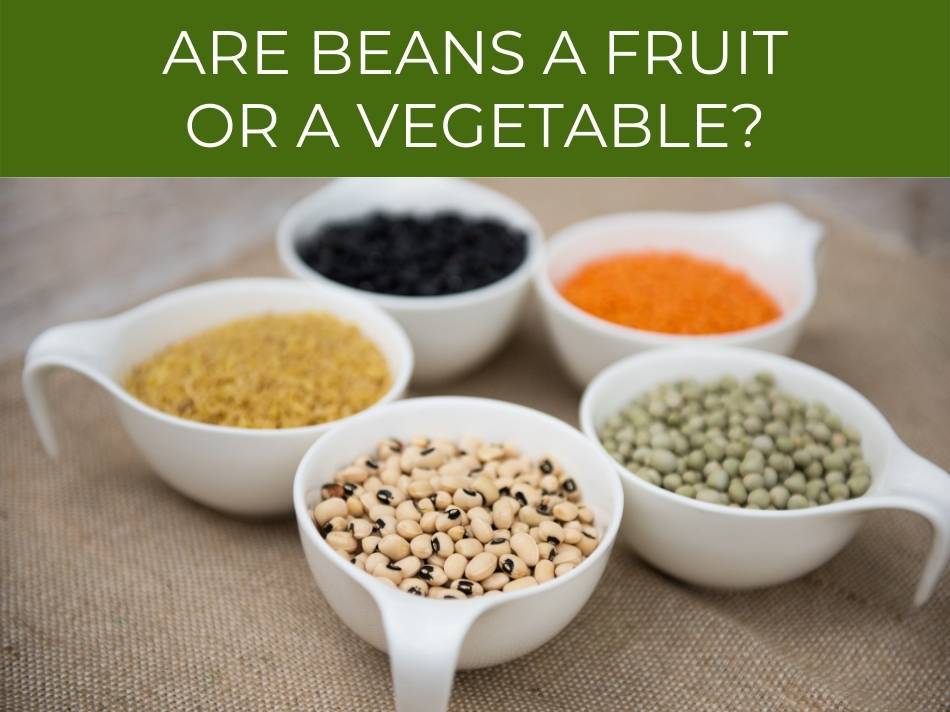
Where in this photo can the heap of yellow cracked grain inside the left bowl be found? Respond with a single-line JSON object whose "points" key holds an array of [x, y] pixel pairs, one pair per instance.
{"points": [[269, 371]]}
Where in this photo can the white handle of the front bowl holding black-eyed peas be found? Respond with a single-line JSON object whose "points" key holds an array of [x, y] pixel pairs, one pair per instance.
{"points": [[424, 637]]}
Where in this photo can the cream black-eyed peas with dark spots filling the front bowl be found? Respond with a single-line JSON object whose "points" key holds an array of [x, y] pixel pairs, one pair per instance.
{"points": [[448, 520]]}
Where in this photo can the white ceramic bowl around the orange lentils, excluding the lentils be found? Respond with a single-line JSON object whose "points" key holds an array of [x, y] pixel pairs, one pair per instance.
{"points": [[772, 243]]}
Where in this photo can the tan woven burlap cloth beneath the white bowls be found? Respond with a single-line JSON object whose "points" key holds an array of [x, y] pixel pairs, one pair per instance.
{"points": [[117, 593]]}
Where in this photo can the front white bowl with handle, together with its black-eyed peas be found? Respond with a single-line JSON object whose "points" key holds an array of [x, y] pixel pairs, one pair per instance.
{"points": [[455, 532]]}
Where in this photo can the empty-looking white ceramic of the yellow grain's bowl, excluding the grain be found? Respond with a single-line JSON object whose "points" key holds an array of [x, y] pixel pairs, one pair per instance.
{"points": [[242, 471]]}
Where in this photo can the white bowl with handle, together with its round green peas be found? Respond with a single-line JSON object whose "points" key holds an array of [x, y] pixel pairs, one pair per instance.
{"points": [[743, 469]]}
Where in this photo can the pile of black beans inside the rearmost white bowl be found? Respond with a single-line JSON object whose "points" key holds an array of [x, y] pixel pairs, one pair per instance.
{"points": [[405, 255]]}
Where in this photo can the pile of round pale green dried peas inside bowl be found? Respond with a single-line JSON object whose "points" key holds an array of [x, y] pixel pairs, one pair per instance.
{"points": [[745, 444]]}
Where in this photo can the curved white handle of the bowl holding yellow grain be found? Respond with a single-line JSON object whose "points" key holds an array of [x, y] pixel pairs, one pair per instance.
{"points": [[81, 347]]}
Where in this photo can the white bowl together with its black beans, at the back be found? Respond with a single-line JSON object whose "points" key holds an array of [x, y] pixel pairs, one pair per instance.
{"points": [[450, 260]]}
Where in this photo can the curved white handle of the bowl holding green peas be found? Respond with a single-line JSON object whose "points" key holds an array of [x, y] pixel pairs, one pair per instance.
{"points": [[922, 487]]}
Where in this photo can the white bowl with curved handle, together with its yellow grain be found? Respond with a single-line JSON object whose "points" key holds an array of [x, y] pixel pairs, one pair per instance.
{"points": [[223, 386]]}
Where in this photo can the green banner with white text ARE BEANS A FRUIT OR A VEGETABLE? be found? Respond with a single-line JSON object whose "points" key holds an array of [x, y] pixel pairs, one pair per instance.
{"points": [[489, 88]]}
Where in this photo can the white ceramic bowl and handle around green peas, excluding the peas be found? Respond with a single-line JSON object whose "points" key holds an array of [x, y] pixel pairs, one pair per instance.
{"points": [[727, 547]]}
